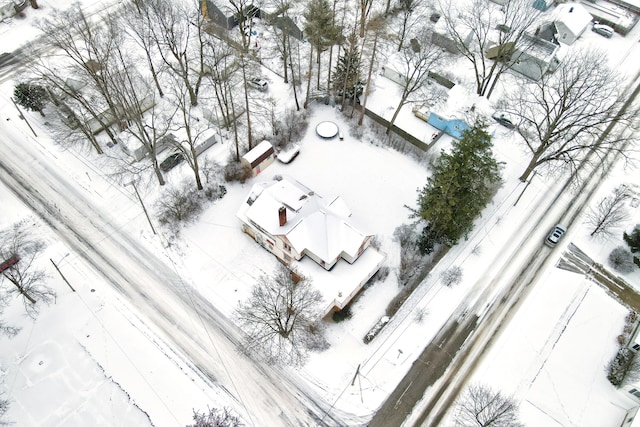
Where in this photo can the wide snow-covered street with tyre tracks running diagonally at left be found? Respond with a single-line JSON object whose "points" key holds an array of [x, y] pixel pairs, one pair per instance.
{"points": [[206, 339]]}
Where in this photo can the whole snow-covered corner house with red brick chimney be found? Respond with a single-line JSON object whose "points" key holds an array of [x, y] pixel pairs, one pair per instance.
{"points": [[297, 224]]}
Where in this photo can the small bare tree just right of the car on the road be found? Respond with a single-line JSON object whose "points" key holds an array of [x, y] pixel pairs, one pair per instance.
{"points": [[609, 213]]}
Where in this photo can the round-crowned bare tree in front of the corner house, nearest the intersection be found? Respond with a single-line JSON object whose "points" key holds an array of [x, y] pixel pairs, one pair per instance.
{"points": [[279, 318]]}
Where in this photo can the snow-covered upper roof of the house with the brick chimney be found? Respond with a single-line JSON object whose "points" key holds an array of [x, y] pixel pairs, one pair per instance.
{"points": [[316, 225]]}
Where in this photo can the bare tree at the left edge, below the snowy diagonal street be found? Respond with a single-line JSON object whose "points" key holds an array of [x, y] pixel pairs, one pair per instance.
{"points": [[24, 278]]}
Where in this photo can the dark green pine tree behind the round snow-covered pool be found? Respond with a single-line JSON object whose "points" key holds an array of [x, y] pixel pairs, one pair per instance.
{"points": [[347, 82]]}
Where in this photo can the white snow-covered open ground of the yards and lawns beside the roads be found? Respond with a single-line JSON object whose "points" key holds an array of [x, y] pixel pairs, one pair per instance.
{"points": [[90, 359]]}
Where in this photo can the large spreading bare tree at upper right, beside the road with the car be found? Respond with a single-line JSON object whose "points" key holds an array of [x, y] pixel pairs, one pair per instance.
{"points": [[562, 117]]}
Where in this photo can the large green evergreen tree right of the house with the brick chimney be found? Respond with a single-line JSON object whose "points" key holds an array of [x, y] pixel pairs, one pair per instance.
{"points": [[462, 184]]}
